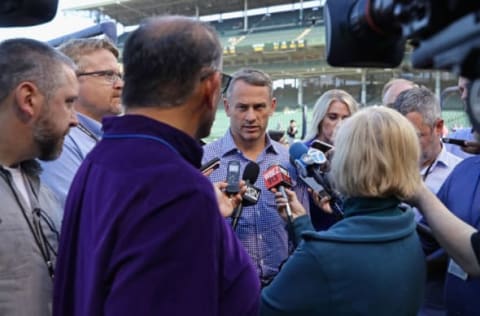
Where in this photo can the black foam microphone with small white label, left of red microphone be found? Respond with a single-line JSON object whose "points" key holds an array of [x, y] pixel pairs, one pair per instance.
{"points": [[251, 196]]}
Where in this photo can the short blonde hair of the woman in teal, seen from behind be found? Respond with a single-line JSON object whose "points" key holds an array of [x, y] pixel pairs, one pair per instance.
{"points": [[376, 155]]}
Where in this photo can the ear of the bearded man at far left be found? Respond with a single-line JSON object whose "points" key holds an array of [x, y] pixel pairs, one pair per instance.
{"points": [[27, 99]]}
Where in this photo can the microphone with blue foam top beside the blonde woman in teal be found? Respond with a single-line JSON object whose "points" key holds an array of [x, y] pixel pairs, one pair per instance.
{"points": [[308, 161]]}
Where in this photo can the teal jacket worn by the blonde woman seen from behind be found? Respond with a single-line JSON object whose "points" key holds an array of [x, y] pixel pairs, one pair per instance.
{"points": [[369, 263]]}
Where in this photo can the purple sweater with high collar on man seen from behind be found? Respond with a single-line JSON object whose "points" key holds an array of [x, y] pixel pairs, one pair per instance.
{"points": [[142, 233]]}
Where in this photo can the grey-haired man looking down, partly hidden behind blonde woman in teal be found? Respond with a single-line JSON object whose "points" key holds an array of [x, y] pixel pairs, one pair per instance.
{"points": [[422, 108]]}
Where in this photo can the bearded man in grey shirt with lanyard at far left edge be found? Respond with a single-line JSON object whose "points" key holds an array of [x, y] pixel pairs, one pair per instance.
{"points": [[38, 87]]}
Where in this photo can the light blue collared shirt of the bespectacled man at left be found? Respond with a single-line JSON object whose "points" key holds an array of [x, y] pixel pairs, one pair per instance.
{"points": [[58, 174]]}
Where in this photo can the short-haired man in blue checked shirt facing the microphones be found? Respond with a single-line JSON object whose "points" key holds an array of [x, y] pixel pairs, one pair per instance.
{"points": [[249, 103]]}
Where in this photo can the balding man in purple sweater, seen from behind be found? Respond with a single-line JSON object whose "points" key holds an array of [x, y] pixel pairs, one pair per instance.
{"points": [[142, 232]]}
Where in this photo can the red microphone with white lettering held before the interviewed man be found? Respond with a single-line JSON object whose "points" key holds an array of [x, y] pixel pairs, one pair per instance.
{"points": [[277, 177]]}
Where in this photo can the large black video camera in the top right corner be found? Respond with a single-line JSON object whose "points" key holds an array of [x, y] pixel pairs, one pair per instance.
{"points": [[444, 35]]}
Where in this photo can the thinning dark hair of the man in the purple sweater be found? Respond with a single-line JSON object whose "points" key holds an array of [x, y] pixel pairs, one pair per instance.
{"points": [[165, 57]]}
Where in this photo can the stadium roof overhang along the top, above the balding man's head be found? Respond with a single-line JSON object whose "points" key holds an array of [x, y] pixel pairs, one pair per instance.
{"points": [[131, 12]]}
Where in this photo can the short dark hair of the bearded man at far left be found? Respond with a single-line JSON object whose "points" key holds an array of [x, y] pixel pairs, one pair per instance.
{"points": [[23, 59]]}
